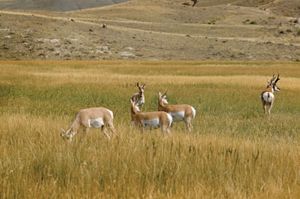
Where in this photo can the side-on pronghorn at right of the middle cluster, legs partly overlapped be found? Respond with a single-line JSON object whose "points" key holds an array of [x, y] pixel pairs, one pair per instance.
{"points": [[182, 112]]}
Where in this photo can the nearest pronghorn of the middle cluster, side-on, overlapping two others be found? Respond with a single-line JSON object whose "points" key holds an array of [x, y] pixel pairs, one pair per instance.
{"points": [[150, 119]]}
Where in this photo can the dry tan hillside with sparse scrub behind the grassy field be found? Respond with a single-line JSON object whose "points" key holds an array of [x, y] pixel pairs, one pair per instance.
{"points": [[156, 30]]}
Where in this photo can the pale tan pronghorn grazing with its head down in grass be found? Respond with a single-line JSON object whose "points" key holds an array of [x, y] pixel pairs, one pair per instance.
{"points": [[91, 117]]}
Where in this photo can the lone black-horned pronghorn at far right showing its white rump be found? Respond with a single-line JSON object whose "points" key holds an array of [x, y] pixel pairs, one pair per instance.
{"points": [[267, 96]]}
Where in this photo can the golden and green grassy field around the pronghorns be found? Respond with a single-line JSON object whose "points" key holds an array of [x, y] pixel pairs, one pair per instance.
{"points": [[235, 151]]}
